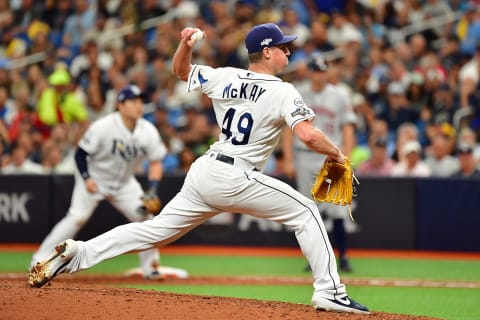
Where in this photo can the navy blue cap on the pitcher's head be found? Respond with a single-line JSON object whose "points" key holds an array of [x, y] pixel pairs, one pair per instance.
{"points": [[265, 35]]}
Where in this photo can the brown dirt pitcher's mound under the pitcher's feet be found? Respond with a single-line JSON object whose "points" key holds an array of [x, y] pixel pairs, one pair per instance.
{"points": [[73, 298]]}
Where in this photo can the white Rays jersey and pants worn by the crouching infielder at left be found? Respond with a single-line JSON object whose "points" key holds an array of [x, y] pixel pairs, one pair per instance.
{"points": [[114, 153]]}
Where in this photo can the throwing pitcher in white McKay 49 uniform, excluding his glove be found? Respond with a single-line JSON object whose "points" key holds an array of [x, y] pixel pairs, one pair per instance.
{"points": [[252, 107]]}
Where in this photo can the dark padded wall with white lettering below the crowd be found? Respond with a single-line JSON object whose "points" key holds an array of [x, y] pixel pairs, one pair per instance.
{"points": [[400, 213]]}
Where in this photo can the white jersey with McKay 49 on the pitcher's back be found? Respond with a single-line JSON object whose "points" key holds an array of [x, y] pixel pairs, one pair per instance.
{"points": [[242, 100]]}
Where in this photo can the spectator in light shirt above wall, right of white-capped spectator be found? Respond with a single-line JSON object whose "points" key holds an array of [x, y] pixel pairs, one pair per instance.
{"points": [[440, 162]]}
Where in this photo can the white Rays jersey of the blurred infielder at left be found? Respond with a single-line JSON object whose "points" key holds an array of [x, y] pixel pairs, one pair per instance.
{"points": [[115, 152]]}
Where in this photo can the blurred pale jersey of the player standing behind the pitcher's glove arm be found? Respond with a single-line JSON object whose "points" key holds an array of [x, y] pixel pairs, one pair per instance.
{"points": [[333, 110]]}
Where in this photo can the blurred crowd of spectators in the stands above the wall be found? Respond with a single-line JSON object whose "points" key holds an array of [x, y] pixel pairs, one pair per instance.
{"points": [[411, 69]]}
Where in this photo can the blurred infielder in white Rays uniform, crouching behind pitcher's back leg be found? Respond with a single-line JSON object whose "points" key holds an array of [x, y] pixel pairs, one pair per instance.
{"points": [[106, 158]]}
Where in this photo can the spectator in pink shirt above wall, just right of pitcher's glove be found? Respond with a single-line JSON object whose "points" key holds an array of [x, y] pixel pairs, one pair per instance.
{"points": [[379, 164]]}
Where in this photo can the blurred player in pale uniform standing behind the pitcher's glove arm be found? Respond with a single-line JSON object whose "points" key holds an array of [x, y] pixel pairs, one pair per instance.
{"points": [[336, 118]]}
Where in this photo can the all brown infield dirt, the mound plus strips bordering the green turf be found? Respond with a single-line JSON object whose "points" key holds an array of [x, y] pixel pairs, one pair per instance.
{"points": [[86, 297]]}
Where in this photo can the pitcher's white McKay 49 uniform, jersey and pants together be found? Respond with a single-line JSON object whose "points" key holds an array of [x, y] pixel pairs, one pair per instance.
{"points": [[251, 110]]}
